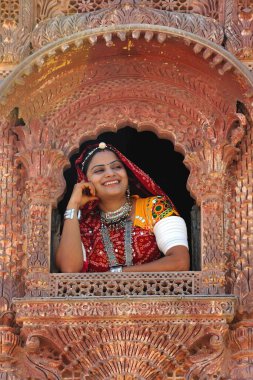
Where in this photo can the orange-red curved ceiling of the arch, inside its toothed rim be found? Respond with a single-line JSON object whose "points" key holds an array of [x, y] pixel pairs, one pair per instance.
{"points": [[83, 73]]}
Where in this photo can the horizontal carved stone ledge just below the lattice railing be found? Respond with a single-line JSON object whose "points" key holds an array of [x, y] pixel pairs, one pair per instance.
{"points": [[88, 309]]}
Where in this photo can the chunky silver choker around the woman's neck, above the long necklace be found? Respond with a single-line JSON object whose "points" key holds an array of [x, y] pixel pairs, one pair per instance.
{"points": [[116, 219]]}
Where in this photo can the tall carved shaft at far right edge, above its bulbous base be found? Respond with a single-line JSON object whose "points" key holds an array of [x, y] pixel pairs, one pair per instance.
{"points": [[242, 227]]}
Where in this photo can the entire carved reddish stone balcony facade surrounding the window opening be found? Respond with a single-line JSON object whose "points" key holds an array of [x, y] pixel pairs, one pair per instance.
{"points": [[69, 71]]}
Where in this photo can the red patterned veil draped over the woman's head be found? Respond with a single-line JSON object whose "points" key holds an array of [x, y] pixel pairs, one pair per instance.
{"points": [[140, 182]]}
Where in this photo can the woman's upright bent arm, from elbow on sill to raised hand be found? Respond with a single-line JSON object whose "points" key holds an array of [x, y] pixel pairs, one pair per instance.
{"points": [[69, 255]]}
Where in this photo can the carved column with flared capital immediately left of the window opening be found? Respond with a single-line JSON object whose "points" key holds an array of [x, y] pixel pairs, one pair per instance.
{"points": [[44, 185]]}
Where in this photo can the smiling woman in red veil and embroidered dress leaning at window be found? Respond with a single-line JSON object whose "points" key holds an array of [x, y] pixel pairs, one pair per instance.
{"points": [[108, 229]]}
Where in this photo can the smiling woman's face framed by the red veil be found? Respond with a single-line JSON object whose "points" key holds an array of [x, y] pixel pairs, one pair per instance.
{"points": [[108, 175]]}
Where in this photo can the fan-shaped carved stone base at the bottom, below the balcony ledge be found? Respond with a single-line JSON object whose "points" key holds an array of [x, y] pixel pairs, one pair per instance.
{"points": [[160, 348]]}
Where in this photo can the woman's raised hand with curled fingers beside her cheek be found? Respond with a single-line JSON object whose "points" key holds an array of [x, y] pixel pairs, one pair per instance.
{"points": [[83, 193]]}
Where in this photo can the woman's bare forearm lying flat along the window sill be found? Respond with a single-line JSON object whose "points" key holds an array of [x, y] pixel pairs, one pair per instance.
{"points": [[176, 259]]}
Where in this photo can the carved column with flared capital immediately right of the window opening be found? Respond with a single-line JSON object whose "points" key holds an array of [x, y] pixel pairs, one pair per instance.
{"points": [[207, 183]]}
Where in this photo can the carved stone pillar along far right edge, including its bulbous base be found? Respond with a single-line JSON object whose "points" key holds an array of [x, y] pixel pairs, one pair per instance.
{"points": [[242, 267]]}
